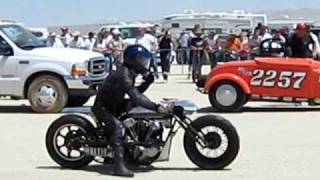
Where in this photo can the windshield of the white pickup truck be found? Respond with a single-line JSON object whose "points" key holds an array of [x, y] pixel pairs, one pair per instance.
{"points": [[22, 38]]}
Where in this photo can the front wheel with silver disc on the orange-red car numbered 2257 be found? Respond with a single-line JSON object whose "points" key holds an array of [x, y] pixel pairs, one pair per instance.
{"points": [[227, 96]]}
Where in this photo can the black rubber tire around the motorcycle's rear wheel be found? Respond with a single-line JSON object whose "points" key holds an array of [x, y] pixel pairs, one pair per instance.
{"points": [[50, 138]]}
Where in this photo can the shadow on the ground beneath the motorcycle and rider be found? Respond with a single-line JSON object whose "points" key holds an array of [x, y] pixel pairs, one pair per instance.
{"points": [[107, 169]]}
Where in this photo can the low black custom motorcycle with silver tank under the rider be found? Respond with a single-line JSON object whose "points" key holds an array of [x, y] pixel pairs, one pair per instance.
{"points": [[211, 142]]}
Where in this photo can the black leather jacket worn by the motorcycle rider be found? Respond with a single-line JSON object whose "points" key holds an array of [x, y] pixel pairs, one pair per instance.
{"points": [[119, 84]]}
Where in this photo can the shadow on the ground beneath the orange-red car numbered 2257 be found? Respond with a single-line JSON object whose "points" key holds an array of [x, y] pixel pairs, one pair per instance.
{"points": [[265, 109]]}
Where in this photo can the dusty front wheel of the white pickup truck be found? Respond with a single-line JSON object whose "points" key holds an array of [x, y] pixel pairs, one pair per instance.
{"points": [[47, 94]]}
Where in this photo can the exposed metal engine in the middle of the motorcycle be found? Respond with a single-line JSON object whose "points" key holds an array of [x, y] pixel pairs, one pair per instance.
{"points": [[149, 134]]}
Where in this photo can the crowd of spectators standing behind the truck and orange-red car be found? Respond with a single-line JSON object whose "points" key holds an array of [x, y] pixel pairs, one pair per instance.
{"points": [[194, 48]]}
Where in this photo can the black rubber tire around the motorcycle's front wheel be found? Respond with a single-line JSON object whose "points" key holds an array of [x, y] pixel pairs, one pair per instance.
{"points": [[212, 163]]}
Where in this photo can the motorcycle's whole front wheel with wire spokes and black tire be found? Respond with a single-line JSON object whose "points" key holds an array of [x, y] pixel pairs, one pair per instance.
{"points": [[221, 143]]}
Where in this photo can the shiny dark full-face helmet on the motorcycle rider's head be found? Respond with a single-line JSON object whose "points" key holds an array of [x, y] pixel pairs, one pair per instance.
{"points": [[137, 58]]}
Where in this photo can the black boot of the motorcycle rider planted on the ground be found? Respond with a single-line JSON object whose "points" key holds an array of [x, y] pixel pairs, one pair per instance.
{"points": [[120, 169]]}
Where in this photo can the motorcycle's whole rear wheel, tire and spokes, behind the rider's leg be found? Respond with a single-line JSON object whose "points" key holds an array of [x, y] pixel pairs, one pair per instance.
{"points": [[65, 141]]}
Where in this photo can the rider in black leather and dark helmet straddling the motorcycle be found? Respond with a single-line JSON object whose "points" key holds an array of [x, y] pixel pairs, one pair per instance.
{"points": [[110, 102]]}
